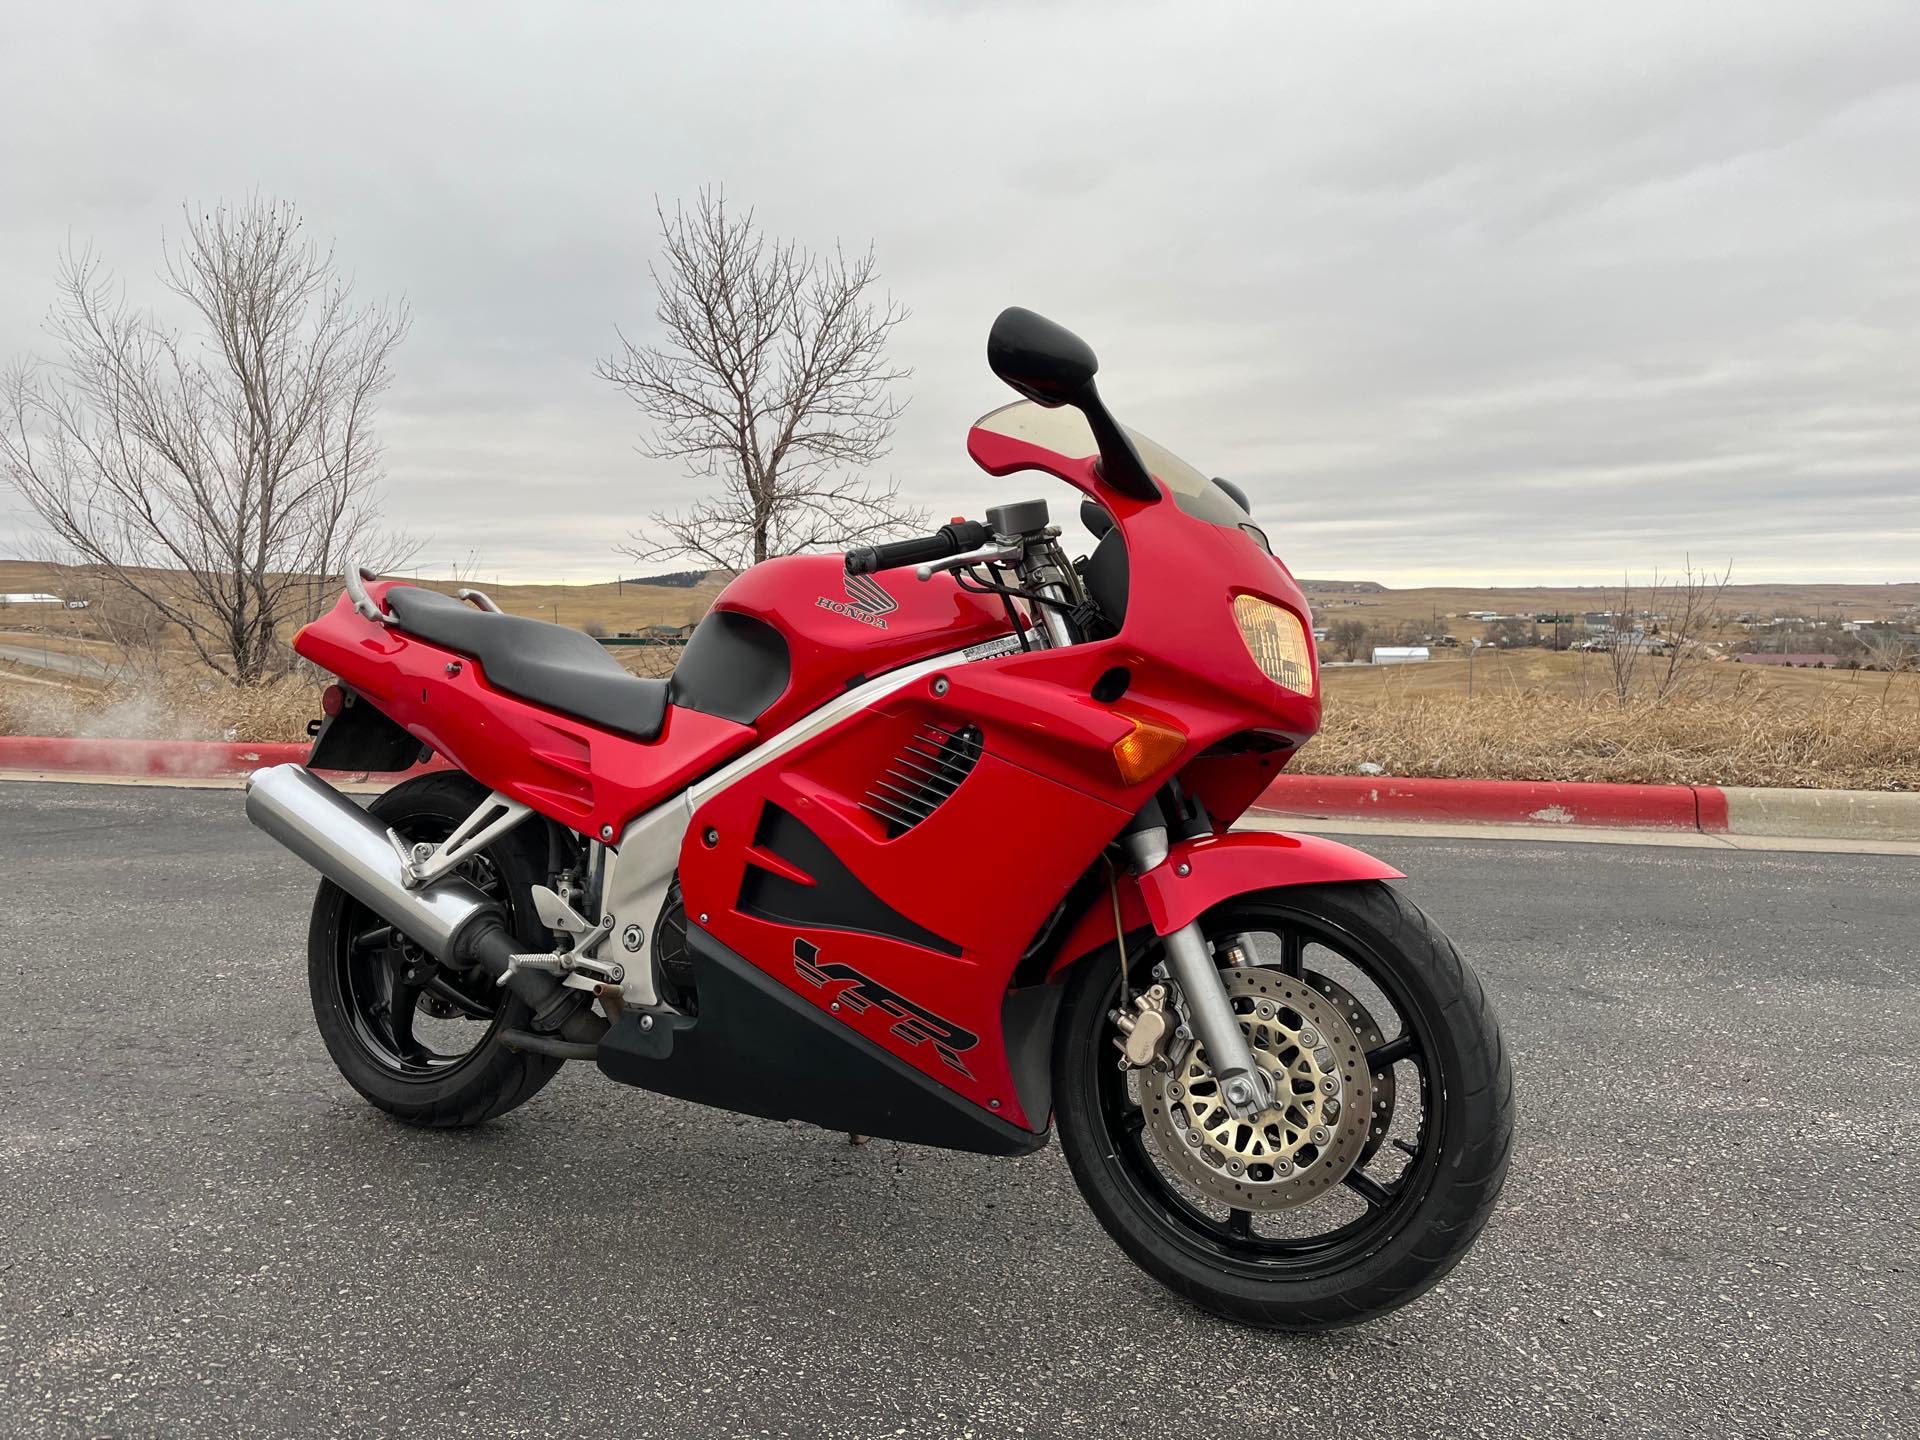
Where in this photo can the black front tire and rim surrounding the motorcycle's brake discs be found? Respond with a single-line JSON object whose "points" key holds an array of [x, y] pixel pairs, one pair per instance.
{"points": [[1389, 1236]]}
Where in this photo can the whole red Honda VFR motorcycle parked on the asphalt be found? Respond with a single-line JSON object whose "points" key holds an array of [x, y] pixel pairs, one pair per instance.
{"points": [[926, 842]]}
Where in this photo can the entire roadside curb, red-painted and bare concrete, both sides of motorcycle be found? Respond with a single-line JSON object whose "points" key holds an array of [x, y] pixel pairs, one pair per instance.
{"points": [[1541, 805]]}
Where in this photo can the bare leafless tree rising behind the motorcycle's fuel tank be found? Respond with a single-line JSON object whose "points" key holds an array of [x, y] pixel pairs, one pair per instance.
{"points": [[773, 381]]}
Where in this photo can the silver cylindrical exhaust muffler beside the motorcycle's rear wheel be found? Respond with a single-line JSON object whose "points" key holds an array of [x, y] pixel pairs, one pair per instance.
{"points": [[352, 850]]}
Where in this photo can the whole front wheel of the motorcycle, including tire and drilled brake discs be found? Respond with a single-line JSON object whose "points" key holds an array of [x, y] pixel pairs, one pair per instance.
{"points": [[1387, 1145]]}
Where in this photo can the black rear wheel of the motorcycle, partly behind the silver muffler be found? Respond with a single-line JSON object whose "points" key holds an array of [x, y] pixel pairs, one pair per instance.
{"points": [[412, 1036]]}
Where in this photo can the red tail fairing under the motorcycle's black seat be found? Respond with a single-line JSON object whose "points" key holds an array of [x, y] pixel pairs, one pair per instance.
{"points": [[565, 769]]}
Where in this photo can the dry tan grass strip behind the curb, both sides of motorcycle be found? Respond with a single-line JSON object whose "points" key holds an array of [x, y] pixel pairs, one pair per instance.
{"points": [[1531, 719]]}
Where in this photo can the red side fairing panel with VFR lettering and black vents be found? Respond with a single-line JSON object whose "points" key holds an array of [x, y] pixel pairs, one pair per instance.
{"points": [[971, 886]]}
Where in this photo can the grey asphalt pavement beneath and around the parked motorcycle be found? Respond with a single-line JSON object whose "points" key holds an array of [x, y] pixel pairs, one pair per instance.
{"points": [[1710, 1228]]}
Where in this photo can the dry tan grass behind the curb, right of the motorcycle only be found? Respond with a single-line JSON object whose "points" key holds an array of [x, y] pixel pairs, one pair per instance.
{"points": [[1739, 734]]}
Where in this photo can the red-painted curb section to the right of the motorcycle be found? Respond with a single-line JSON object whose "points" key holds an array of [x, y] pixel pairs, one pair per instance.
{"points": [[1497, 802]]}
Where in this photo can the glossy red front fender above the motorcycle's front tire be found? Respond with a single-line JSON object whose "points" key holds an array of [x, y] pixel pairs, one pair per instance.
{"points": [[1203, 873]]}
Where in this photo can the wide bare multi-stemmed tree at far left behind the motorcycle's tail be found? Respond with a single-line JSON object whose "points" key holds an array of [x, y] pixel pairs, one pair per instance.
{"points": [[218, 479]]}
